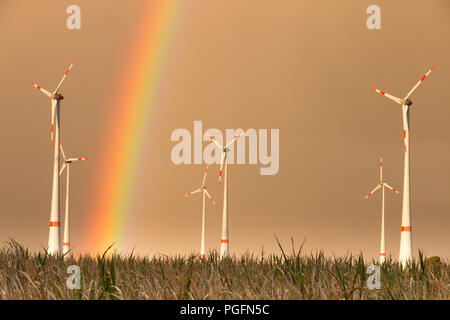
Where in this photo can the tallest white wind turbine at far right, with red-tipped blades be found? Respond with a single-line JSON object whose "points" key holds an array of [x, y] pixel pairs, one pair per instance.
{"points": [[406, 253]]}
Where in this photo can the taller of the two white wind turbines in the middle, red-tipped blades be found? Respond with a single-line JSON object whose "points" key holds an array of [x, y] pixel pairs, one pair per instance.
{"points": [[224, 241]]}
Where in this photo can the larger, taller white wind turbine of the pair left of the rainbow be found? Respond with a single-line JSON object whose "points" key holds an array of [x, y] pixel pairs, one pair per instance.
{"points": [[54, 244]]}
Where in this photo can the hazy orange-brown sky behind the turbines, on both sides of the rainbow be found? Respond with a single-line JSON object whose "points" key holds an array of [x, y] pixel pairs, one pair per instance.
{"points": [[304, 67]]}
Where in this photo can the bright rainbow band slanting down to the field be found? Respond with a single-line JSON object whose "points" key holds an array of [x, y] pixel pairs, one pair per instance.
{"points": [[112, 186]]}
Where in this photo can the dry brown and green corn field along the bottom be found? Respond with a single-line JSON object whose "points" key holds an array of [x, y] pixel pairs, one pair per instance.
{"points": [[293, 275]]}
